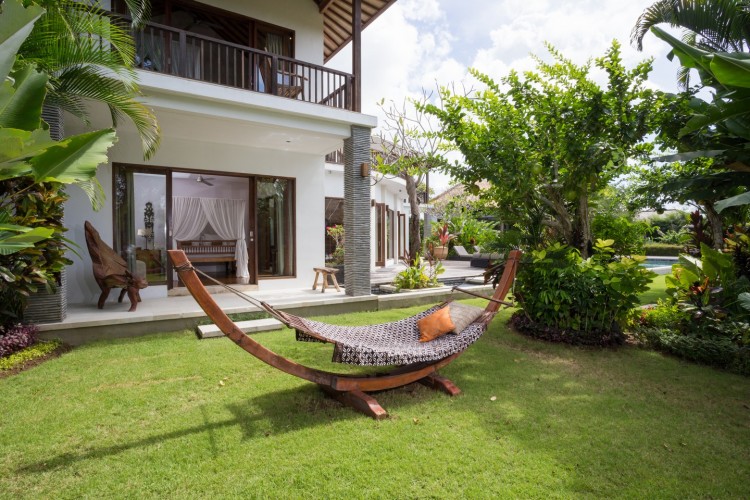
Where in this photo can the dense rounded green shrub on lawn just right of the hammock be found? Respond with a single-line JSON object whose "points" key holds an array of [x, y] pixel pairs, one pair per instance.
{"points": [[582, 301]]}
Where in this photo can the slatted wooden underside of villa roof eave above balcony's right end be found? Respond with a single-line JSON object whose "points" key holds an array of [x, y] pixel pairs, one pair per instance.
{"points": [[337, 21]]}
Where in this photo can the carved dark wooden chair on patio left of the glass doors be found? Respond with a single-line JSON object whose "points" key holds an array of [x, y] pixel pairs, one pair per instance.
{"points": [[111, 270]]}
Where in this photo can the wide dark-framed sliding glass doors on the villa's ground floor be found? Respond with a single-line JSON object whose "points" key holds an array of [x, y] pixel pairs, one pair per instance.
{"points": [[145, 225]]}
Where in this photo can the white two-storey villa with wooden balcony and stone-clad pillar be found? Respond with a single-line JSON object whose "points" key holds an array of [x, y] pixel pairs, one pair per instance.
{"points": [[248, 113]]}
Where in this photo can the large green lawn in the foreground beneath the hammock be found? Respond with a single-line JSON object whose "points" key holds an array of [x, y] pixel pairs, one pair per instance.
{"points": [[148, 417]]}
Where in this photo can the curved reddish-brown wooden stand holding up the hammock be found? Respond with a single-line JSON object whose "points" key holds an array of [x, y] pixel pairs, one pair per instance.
{"points": [[348, 389]]}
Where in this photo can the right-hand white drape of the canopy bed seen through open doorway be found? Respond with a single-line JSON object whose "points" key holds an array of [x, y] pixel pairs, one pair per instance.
{"points": [[227, 218]]}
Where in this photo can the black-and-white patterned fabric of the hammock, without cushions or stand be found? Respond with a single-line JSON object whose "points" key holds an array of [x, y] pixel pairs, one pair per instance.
{"points": [[395, 343]]}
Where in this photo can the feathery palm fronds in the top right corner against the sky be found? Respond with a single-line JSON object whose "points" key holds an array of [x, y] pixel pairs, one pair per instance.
{"points": [[712, 25]]}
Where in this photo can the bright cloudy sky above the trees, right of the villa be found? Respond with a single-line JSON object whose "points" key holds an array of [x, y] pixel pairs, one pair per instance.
{"points": [[423, 44]]}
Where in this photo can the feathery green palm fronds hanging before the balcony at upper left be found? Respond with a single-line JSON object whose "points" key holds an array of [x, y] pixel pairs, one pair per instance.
{"points": [[89, 57]]}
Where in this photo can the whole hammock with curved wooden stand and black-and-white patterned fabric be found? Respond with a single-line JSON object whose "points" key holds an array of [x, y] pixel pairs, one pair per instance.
{"points": [[395, 343]]}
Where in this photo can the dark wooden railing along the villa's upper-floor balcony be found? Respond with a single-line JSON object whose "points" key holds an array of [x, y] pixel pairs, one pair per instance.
{"points": [[189, 55]]}
